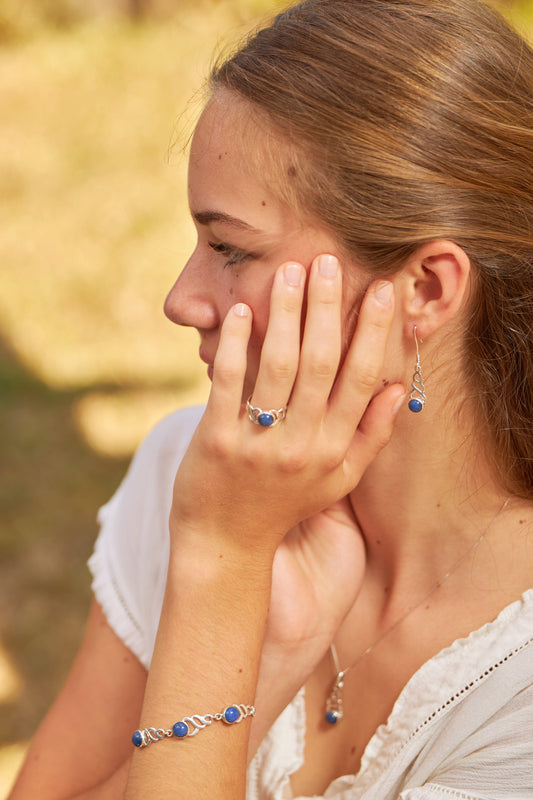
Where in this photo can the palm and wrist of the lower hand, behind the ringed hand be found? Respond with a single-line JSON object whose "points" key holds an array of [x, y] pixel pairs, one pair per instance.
{"points": [[317, 573]]}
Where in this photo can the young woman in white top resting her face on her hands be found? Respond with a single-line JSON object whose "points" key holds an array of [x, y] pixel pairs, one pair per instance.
{"points": [[307, 576]]}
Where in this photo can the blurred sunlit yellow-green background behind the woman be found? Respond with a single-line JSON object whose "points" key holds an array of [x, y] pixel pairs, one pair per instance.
{"points": [[93, 232]]}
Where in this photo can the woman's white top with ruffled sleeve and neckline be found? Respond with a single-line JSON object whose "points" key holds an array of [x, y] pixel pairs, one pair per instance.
{"points": [[462, 726]]}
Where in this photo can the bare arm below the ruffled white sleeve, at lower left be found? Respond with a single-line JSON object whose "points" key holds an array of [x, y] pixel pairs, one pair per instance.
{"points": [[86, 735]]}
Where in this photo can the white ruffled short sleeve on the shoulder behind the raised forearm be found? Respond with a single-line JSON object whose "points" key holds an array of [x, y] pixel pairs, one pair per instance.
{"points": [[130, 560]]}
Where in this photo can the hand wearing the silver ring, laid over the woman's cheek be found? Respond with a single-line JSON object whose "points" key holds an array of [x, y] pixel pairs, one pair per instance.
{"points": [[243, 487]]}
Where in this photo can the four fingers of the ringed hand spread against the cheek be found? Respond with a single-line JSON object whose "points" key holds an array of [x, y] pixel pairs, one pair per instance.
{"points": [[320, 394]]}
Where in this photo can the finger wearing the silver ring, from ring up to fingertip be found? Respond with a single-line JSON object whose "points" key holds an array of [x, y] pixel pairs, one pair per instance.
{"points": [[281, 348]]}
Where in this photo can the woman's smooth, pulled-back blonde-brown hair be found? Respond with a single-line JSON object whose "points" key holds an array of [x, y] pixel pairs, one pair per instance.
{"points": [[415, 121]]}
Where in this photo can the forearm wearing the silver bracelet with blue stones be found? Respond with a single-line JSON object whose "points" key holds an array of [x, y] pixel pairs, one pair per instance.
{"points": [[206, 658]]}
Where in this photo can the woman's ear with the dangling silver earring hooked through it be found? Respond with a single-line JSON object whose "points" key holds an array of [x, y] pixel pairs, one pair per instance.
{"points": [[434, 285]]}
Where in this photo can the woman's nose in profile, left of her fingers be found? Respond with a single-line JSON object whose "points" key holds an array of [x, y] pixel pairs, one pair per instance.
{"points": [[190, 301]]}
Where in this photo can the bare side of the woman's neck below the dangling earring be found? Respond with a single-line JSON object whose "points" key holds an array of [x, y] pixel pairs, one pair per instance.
{"points": [[424, 501]]}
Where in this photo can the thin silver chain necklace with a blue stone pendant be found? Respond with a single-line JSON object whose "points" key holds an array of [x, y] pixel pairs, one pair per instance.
{"points": [[334, 711]]}
